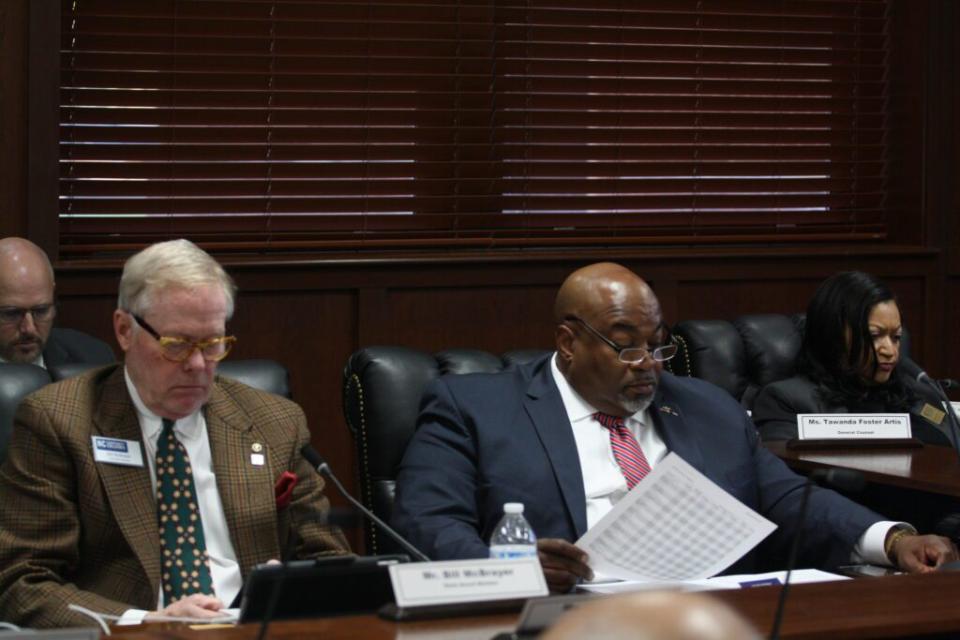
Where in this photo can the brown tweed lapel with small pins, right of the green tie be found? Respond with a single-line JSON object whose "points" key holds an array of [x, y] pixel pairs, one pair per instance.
{"points": [[246, 489]]}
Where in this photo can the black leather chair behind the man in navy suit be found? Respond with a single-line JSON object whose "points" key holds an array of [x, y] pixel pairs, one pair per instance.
{"points": [[382, 387]]}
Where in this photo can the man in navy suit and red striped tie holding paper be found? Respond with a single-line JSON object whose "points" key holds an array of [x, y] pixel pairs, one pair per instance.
{"points": [[568, 435]]}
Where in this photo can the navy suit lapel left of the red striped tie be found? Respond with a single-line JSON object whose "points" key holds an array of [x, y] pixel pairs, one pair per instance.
{"points": [[545, 408]]}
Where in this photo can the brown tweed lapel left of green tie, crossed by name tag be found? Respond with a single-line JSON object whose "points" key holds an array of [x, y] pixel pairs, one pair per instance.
{"points": [[128, 489]]}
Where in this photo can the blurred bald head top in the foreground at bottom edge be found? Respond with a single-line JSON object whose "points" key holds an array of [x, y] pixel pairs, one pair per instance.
{"points": [[662, 615]]}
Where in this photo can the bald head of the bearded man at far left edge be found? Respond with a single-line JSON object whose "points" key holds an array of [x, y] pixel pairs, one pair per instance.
{"points": [[26, 282]]}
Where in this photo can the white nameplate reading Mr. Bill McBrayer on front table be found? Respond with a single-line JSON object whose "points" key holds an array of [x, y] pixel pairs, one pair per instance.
{"points": [[454, 581]]}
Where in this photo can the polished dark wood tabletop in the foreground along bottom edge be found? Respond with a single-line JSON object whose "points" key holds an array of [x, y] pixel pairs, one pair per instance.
{"points": [[891, 607]]}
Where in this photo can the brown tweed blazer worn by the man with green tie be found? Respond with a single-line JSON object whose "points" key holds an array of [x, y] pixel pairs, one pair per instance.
{"points": [[73, 530]]}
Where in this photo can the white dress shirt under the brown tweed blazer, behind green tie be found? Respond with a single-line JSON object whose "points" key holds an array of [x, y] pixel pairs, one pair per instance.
{"points": [[192, 432]]}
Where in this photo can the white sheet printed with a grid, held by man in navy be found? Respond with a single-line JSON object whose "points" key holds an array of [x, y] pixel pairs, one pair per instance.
{"points": [[675, 525]]}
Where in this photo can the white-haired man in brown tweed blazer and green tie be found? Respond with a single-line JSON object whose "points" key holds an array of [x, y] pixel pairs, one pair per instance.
{"points": [[154, 486]]}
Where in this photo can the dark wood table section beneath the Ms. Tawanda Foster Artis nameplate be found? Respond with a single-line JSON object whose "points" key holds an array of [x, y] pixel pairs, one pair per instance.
{"points": [[929, 468]]}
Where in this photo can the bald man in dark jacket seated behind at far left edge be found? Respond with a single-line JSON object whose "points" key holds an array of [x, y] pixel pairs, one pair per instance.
{"points": [[27, 311]]}
